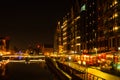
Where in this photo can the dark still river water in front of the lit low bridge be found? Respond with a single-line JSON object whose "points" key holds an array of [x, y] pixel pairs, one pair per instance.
{"points": [[28, 71]]}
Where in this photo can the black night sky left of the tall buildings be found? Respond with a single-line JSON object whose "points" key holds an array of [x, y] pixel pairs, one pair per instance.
{"points": [[31, 22]]}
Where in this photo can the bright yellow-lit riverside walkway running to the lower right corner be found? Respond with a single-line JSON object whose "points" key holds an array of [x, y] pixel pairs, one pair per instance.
{"points": [[91, 73]]}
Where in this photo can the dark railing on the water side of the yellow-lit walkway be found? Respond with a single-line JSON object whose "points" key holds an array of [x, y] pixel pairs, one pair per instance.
{"points": [[78, 74]]}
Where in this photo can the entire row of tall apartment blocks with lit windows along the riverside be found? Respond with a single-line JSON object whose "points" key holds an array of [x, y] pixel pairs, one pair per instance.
{"points": [[90, 26]]}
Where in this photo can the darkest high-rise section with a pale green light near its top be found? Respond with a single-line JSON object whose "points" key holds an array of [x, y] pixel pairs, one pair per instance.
{"points": [[88, 25]]}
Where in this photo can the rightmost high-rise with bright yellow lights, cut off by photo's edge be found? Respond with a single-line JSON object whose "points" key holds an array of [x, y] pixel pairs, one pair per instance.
{"points": [[108, 25]]}
